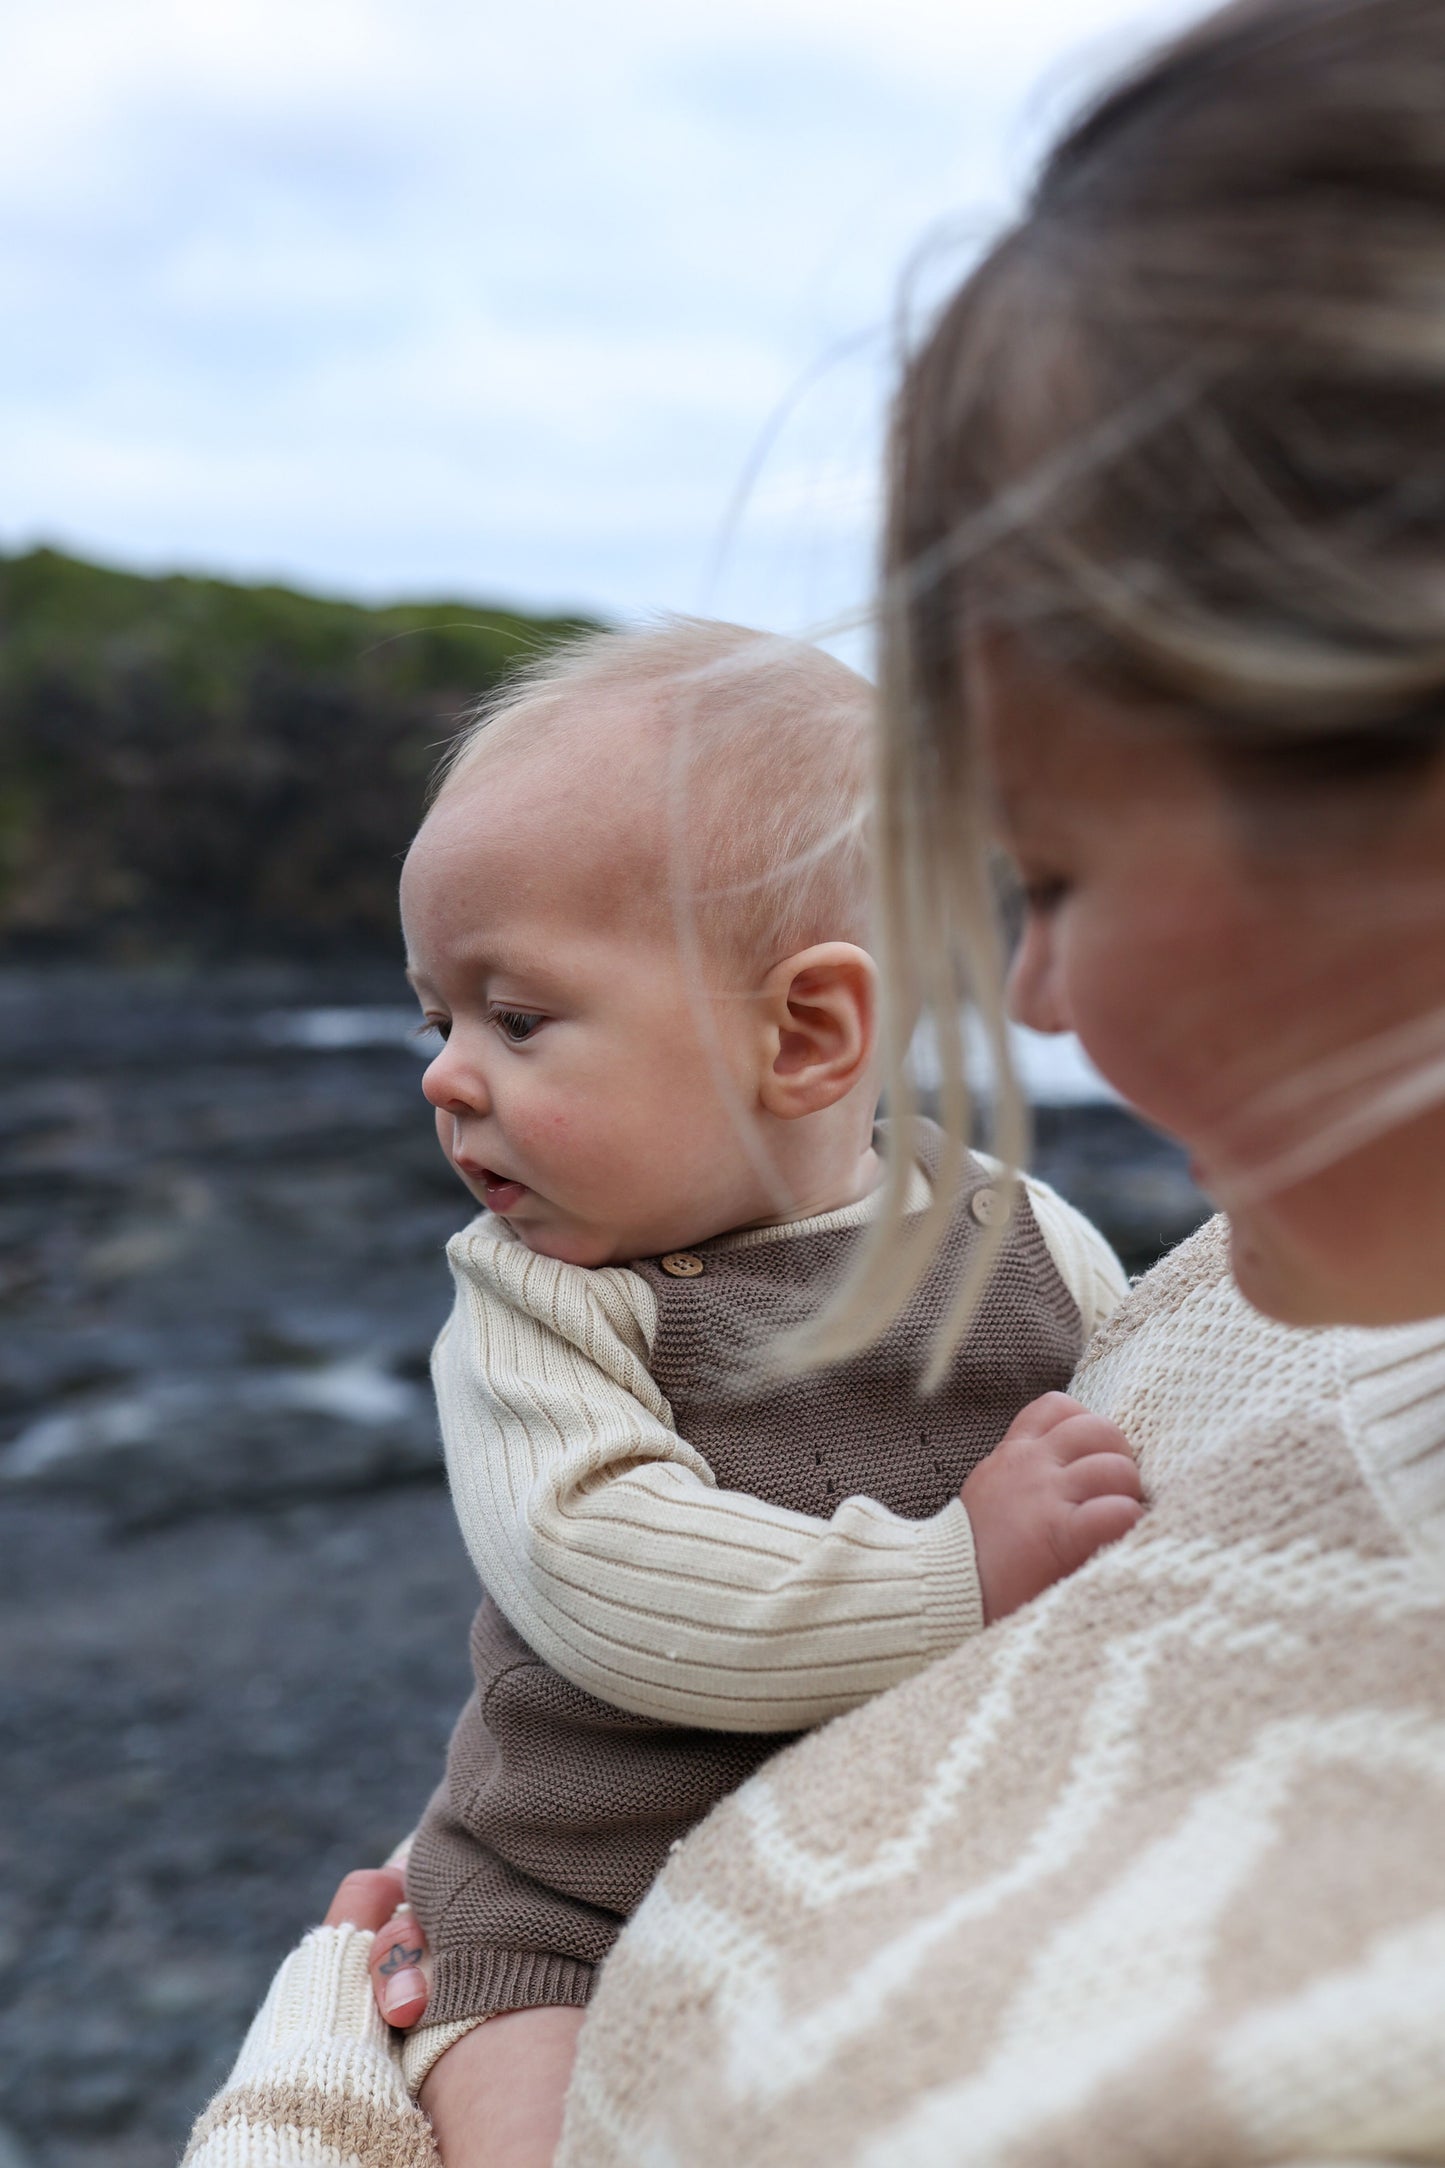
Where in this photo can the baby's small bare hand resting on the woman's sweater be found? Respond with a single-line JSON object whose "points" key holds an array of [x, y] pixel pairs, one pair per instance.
{"points": [[1058, 1486]]}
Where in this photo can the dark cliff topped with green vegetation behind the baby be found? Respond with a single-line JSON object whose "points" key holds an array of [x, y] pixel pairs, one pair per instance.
{"points": [[198, 769]]}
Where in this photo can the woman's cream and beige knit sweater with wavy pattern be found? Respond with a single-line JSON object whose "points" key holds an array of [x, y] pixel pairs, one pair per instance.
{"points": [[1149, 1874]]}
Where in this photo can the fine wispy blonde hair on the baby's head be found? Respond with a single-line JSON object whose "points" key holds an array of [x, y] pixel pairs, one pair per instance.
{"points": [[764, 771]]}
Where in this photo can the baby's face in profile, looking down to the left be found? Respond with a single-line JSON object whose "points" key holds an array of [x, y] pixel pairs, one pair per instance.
{"points": [[575, 1094]]}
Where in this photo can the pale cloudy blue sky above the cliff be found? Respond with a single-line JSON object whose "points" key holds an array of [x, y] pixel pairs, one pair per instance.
{"points": [[556, 305]]}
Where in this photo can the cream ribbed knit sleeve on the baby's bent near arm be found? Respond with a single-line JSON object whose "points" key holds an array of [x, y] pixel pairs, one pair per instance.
{"points": [[614, 1553]]}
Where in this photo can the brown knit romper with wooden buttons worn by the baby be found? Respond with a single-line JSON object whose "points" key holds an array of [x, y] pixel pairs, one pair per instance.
{"points": [[558, 1809]]}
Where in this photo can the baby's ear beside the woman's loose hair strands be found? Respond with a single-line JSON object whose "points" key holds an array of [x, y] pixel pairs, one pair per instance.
{"points": [[820, 1016]]}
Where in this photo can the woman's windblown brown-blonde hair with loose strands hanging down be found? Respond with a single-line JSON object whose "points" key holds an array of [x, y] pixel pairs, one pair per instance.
{"points": [[1184, 435]]}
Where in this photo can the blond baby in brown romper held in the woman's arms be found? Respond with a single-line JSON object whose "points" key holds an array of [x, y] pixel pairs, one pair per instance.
{"points": [[668, 1113]]}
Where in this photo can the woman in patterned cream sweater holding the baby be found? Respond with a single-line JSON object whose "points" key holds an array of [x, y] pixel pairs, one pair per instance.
{"points": [[1156, 1870]]}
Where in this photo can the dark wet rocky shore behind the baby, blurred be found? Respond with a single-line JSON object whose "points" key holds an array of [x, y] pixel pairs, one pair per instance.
{"points": [[233, 1621]]}
